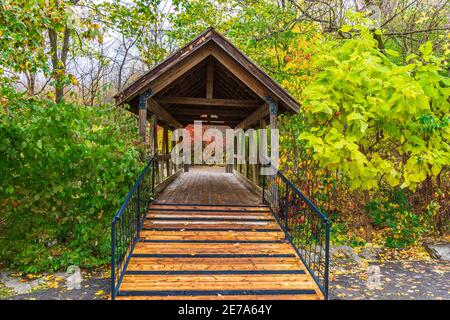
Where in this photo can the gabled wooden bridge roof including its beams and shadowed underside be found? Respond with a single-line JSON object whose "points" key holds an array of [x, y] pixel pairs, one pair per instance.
{"points": [[209, 79]]}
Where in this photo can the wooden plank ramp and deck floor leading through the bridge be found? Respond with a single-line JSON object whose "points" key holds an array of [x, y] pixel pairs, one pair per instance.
{"points": [[208, 237]]}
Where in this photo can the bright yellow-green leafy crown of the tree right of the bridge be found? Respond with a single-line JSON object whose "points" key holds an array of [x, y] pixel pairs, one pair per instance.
{"points": [[376, 121]]}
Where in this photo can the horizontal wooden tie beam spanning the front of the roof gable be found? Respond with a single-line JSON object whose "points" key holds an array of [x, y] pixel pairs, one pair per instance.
{"points": [[208, 102]]}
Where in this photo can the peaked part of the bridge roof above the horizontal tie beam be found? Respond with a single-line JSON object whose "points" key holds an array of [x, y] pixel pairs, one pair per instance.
{"points": [[181, 74]]}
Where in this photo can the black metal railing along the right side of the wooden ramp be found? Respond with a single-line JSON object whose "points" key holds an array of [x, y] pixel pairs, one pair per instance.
{"points": [[305, 226]]}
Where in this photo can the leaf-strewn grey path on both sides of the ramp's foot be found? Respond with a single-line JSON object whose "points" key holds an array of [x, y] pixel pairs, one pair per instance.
{"points": [[389, 280]]}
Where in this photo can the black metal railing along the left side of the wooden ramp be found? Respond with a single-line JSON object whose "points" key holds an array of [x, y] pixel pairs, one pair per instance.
{"points": [[128, 222]]}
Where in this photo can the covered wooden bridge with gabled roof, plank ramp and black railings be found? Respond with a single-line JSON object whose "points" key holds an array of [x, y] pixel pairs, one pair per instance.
{"points": [[213, 232]]}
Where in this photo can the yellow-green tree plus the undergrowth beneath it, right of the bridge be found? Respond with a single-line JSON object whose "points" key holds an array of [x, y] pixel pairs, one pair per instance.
{"points": [[374, 128]]}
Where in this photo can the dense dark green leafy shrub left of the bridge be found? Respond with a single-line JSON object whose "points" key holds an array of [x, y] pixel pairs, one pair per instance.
{"points": [[65, 169]]}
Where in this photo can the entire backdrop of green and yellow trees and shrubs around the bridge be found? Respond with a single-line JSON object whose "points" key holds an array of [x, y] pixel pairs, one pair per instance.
{"points": [[370, 147]]}
